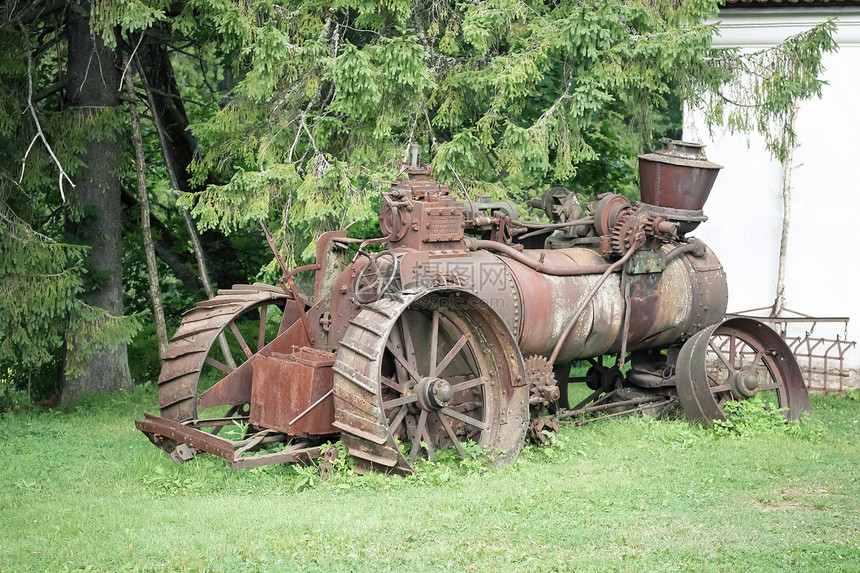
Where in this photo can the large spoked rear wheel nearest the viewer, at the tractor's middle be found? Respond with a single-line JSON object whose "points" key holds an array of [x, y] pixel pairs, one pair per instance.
{"points": [[434, 370]]}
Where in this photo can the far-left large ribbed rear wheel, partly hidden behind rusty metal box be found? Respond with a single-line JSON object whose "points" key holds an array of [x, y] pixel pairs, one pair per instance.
{"points": [[195, 359]]}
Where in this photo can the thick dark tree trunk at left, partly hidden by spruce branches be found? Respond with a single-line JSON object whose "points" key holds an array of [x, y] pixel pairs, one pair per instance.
{"points": [[93, 80]]}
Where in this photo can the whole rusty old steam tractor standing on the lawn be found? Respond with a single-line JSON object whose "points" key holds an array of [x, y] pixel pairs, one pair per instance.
{"points": [[465, 327]]}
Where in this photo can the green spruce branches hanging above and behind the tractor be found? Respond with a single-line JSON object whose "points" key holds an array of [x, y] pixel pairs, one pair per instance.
{"points": [[512, 97]]}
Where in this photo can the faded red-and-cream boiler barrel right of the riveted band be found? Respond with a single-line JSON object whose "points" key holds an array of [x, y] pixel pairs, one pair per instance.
{"points": [[665, 307]]}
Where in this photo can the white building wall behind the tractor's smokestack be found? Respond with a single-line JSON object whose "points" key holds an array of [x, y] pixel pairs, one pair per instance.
{"points": [[745, 208]]}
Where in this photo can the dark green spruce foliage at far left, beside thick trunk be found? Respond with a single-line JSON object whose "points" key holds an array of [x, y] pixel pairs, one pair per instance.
{"points": [[49, 330]]}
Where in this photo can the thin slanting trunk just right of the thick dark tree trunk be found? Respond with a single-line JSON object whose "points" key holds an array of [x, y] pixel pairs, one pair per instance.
{"points": [[148, 248]]}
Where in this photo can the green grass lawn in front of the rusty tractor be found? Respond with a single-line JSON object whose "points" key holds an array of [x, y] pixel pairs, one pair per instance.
{"points": [[80, 489]]}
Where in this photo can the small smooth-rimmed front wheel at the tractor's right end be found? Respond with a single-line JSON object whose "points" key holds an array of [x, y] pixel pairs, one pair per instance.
{"points": [[735, 360]]}
